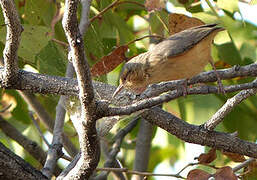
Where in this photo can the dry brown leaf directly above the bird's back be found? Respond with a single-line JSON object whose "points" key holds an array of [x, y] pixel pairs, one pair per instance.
{"points": [[180, 22]]}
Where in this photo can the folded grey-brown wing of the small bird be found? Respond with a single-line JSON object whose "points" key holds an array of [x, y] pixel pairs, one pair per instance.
{"points": [[183, 41]]}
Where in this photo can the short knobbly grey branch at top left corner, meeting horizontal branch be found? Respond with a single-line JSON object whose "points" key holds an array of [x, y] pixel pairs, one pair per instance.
{"points": [[14, 30]]}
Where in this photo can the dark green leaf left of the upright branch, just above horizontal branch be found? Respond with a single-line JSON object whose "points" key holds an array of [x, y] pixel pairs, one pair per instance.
{"points": [[52, 60]]}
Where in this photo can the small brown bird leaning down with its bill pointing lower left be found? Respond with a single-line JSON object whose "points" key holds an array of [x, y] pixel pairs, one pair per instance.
{"points": [[181, 56]]}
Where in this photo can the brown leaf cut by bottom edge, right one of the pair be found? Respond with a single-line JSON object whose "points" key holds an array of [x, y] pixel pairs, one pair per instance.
{"points": [[225, 173]]}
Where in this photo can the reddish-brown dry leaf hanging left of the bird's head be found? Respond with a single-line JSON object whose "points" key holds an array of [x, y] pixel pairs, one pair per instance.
{"points": [[109, 62]]}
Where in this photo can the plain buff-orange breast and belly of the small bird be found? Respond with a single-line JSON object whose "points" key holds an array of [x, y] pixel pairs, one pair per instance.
{"points": [[182, 66]]}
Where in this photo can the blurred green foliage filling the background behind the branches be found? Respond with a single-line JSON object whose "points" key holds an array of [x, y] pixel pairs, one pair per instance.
{"points": [[116, 28]]}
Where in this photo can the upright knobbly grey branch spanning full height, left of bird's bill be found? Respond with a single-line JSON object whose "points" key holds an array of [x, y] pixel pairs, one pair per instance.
{"points": [[86, 126]]}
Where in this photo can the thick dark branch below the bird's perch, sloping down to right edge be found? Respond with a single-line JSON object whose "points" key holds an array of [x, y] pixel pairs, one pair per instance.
{"points": [[198, 135]]}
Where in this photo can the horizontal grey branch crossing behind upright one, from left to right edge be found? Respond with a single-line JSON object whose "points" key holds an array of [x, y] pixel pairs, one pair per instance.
{"points": [[41, 83]]}
